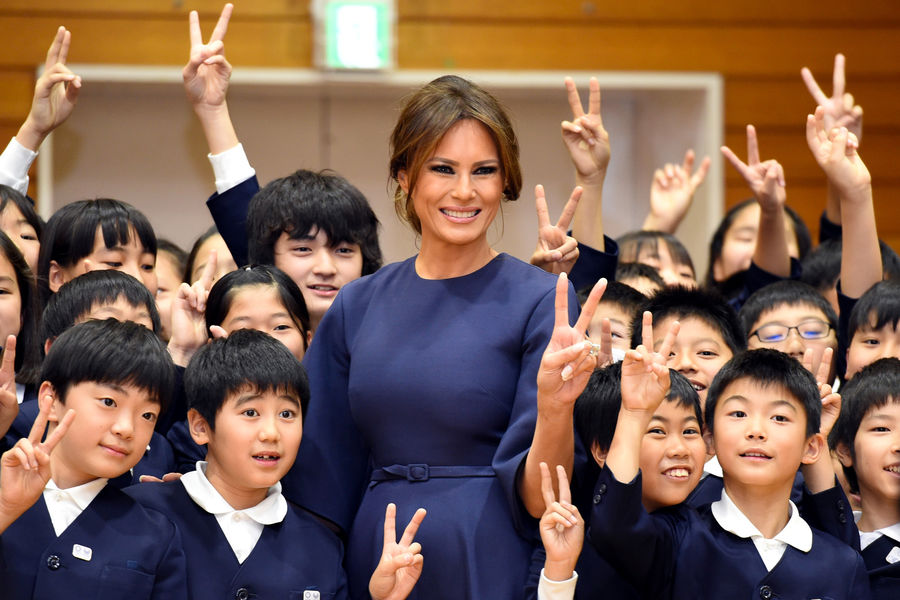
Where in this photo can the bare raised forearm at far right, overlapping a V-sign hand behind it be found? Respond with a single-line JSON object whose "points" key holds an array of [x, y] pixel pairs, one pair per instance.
{"points": [[836, 153]]}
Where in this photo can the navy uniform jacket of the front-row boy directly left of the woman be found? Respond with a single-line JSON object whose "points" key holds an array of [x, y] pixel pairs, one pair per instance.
{"points": [[291, 558]]}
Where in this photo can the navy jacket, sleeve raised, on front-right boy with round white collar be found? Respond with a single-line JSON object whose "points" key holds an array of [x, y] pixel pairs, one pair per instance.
{"points": [[681, 553]]}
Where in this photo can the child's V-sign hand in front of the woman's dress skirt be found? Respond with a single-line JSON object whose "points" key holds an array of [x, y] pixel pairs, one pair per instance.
{"points": [[401, 562]]}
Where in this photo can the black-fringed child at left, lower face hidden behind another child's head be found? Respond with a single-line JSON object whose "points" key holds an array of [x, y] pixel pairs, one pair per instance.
{"points": [[93, 235]]}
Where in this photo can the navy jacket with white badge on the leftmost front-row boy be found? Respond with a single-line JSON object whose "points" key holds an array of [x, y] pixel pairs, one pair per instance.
{"points": [[114, 550]]}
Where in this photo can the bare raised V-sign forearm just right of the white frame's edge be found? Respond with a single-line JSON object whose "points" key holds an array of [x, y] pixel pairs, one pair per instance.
{"points": [[766, 182]]}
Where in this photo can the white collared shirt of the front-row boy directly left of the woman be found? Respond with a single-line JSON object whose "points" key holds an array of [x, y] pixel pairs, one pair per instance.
{"points": [[242, 528]]}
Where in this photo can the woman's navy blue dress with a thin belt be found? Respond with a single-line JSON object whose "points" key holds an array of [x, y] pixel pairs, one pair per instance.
{"points": [[424, 394]]}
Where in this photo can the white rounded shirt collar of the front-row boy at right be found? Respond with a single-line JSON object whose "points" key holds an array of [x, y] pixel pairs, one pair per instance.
{"points": [[796, 533]]}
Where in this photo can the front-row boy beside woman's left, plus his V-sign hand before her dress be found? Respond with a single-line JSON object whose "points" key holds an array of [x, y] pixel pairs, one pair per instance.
{"points": [[247, 398]]}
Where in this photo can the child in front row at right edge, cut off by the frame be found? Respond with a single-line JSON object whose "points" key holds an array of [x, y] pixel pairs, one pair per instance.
{"points": [[866, 439]]}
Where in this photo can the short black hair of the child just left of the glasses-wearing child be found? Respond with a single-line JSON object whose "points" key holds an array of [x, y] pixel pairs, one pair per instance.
{"points": [[705, 305]]}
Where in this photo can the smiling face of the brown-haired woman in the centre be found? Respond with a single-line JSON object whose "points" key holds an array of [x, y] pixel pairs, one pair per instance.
{"points": [[459, 188]]}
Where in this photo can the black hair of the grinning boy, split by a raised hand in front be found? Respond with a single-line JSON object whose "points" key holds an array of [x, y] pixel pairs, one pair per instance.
{"points": [[597, 408]]}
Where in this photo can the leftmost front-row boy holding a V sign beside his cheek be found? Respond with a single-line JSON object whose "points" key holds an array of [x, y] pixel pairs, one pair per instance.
{"points": [[78, 536]]}
